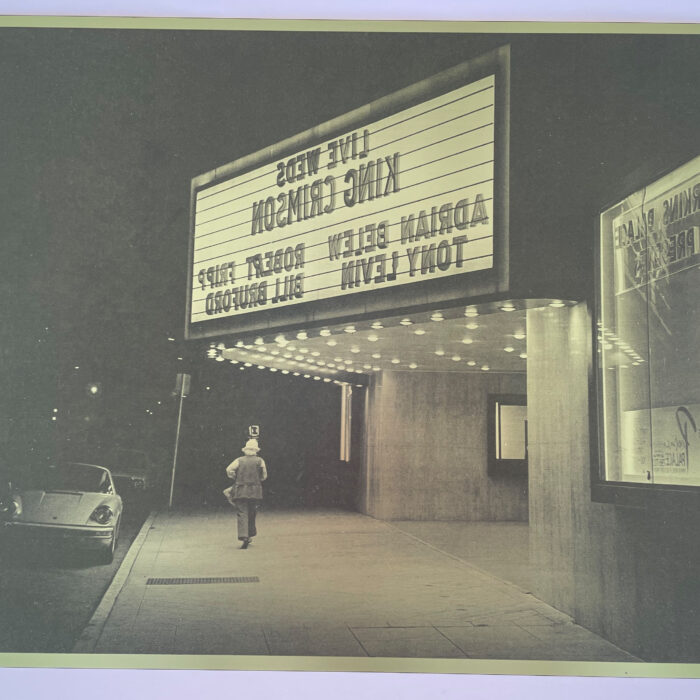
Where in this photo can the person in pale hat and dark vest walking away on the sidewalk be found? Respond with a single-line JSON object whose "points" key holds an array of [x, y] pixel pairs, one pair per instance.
{"points": [[248, 473]]}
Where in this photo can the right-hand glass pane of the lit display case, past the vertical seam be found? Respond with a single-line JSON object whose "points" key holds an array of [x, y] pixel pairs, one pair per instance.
{"points": [[674, 329]]}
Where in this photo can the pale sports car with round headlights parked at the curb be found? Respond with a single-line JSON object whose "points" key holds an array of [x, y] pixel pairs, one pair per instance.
{"points": [[70, 502]]}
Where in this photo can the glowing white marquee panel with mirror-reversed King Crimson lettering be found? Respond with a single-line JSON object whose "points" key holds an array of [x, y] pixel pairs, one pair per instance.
{"points": [[397, 201]]}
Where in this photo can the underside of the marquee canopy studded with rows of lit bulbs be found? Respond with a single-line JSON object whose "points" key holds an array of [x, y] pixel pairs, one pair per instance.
{"points": [[486, 338]]}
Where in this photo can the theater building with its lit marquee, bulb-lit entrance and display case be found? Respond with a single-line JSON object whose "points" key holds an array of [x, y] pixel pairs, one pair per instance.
{"points": [[492, 272]]}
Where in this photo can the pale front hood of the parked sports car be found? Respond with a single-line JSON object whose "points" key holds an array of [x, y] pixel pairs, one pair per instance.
{"points": [[65, 507]]}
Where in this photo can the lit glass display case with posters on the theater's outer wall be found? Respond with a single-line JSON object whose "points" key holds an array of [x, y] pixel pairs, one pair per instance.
{"points": [[646, 344]]}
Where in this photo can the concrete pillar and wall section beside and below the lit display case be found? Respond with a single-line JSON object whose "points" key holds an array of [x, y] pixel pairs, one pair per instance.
{"points": [[629, 574]]}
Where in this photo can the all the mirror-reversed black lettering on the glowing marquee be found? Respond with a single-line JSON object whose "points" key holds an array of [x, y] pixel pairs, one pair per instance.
{"points": [[423, 242]]}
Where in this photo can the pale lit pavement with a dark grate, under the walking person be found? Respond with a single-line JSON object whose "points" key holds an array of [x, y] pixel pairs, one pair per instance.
{"points": [[326, 583]]}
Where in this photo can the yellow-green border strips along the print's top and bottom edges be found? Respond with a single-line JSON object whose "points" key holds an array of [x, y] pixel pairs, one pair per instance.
{"points": [[343, 664]]}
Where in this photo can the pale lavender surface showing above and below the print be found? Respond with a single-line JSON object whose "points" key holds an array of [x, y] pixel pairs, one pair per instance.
{"points": [[77, 684]]}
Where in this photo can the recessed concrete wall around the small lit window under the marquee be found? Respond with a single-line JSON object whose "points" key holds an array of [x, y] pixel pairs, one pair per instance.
{"points": [[426, 450]]}
